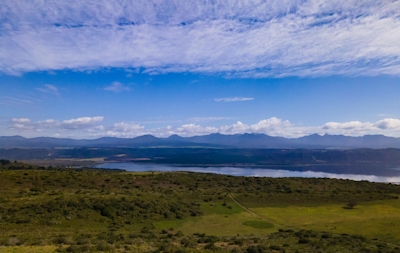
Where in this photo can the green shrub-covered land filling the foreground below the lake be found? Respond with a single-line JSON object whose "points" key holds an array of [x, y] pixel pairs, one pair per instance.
{"points": [[88, 210]]}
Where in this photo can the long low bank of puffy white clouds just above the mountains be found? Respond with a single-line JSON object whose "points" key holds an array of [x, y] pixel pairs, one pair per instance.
{"points": [[91, 127]]}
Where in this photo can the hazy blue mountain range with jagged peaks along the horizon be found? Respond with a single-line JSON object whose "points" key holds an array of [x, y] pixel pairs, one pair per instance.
{"points": [[313, 141]]}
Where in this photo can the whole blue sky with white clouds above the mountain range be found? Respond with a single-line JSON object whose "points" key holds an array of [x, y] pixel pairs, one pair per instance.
{"points": [[95, 68]]}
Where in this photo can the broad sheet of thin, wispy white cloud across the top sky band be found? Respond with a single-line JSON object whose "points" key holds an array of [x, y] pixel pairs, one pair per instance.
{"points": [[242, 38]]}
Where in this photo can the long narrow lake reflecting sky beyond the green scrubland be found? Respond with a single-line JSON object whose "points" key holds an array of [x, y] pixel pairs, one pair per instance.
{"points": [[353, 172]]}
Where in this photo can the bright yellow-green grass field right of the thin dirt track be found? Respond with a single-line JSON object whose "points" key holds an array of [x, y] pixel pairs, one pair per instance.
{"points": [[375, 219]]}
